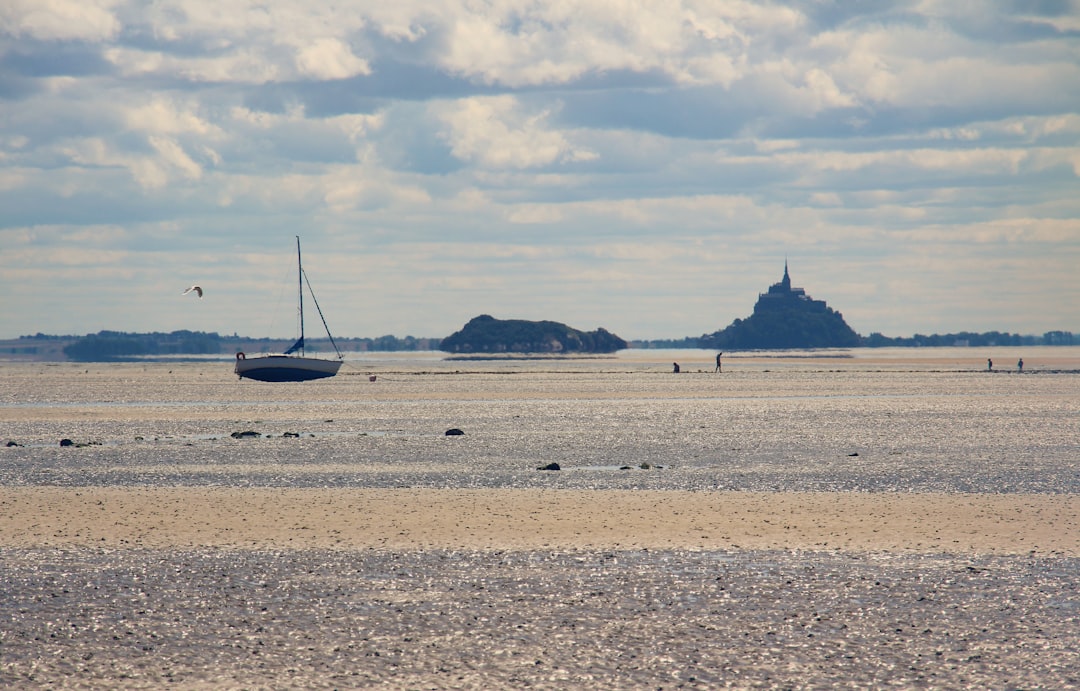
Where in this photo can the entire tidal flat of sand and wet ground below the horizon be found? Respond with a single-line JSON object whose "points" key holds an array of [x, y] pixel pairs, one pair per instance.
{"points": [[811, 520]]}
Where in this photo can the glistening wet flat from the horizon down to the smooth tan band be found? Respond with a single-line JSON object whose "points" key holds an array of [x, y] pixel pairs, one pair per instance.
{"points": [[900, 421]]}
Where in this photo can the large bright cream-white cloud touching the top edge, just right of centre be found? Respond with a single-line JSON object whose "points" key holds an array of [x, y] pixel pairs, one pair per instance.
{"points": [[523, 44]]}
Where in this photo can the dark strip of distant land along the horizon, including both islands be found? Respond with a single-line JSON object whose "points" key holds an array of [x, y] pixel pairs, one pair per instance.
{"points": [[785, 318]]}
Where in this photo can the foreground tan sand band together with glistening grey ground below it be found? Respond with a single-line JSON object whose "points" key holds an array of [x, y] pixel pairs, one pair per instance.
{"points": [[287, 589]]}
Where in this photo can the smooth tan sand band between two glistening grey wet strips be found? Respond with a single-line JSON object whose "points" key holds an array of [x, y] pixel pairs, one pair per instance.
{"points": [[272, 519]]}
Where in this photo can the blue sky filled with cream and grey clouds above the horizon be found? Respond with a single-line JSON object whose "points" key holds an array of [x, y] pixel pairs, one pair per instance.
{"points": [[644, 167]]}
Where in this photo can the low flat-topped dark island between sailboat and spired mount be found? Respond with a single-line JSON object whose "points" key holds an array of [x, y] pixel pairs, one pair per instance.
{"points": [[485, 334]]}
